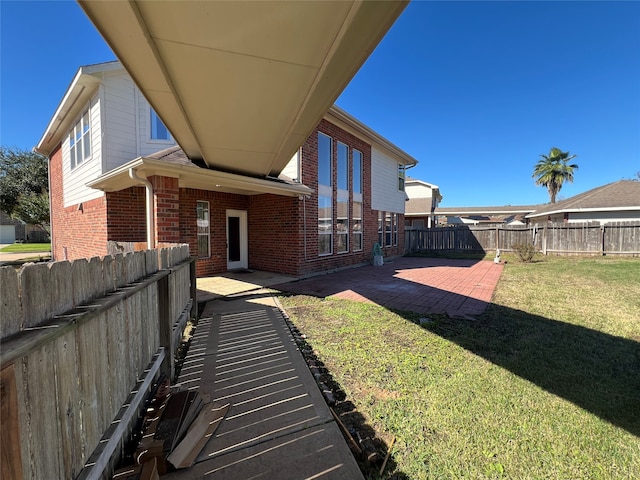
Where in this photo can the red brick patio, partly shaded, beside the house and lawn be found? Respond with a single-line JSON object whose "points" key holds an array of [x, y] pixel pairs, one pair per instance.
{"points": [[458, 288]]}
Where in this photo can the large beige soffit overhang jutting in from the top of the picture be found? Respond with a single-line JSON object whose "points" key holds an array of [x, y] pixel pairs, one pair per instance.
{"points": [[241, 85]]}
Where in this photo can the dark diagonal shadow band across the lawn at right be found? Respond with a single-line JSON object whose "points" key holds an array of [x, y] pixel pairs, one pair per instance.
{"points": [[596, 371]]}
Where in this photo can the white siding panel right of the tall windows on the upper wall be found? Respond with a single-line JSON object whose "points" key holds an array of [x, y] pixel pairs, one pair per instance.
{"points": [[385, 195]]}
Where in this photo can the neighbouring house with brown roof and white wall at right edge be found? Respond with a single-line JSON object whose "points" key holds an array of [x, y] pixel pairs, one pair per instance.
{"points": [[615, 202]]}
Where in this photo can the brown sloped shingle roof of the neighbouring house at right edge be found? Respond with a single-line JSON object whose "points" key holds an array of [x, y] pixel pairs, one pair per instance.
{"points": [[616, 196]]}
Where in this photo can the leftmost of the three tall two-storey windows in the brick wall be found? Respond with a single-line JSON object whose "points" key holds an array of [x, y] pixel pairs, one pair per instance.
{"points": [[325, 195]]}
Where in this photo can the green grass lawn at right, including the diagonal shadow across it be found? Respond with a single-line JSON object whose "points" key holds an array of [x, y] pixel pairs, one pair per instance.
{"points": [[545, 385]]}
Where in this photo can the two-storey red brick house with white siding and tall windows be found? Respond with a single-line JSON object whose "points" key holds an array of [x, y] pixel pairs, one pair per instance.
{"points": [[116, 174]]}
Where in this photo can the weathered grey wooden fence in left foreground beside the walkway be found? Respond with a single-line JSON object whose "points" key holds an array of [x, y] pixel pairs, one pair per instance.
{"points": [[81, 341]]}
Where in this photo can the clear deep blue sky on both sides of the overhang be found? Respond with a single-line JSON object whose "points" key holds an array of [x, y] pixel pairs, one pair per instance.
{"points": [[476, 91]]}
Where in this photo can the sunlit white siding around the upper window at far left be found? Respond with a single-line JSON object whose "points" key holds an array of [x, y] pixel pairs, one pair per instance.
{"points": [[73, 181]]}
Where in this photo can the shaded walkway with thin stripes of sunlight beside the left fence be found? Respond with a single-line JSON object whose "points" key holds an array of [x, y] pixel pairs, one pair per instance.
{"points": [[278, 425]]}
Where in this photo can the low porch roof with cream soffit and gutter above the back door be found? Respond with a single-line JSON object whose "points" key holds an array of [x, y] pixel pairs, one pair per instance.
{"points": [[173, 162]]}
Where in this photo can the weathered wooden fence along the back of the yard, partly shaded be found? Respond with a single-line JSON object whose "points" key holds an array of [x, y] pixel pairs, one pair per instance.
{"points": [[621, 238]]}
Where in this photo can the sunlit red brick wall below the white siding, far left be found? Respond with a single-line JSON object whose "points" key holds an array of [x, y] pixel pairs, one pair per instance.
{"points": [[76, 232]]}
